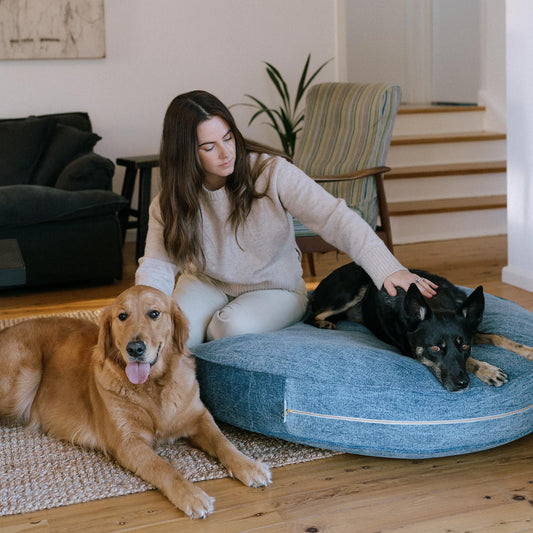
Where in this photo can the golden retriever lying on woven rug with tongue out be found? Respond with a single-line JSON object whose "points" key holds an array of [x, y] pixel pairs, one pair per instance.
{"points": [[122, 388]]}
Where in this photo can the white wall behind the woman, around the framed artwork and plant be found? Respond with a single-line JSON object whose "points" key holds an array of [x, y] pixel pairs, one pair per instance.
{"points": [[159, 48]]}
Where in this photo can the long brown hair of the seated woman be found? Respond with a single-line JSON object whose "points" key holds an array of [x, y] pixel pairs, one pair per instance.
{"points": [[182, 175]]}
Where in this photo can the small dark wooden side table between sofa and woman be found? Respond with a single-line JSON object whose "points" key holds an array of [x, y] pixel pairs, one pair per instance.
{"points": [[141, 165]]}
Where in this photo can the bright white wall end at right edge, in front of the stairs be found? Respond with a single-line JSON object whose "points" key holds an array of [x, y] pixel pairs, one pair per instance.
{"points": [[519, 271]]}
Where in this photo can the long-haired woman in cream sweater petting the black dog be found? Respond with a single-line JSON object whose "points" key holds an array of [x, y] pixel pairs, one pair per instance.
{"points": [[223, 221]]}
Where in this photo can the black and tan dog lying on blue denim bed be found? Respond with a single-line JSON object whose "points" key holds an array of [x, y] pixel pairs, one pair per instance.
{"points": [[438, 332]]}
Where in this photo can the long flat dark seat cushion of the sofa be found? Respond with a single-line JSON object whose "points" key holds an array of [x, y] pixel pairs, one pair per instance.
{"points": [[24, 205]]}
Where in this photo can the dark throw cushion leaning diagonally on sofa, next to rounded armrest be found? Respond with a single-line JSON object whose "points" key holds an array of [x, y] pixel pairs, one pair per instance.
{"points": [[65, 145]]}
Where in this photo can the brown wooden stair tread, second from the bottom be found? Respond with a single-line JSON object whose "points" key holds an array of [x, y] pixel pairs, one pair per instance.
{"points": [[446, 169]]}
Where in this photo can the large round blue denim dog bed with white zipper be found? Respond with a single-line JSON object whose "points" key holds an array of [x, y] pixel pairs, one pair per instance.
{"points": [[346, 390]]}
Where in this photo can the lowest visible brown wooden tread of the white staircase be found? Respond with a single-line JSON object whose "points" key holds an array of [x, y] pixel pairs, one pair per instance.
{"points": [[447, 205]]}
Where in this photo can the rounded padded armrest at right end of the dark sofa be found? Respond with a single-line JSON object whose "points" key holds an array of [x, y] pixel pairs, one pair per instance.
{"points": [[89, 171]]}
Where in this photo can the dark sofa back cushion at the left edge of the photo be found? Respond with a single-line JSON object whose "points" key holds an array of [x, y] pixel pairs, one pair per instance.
{"points": [[22, 142]]}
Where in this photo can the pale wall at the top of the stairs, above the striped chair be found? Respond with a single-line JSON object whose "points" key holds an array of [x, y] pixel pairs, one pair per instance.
{"points": [[392, 40]]}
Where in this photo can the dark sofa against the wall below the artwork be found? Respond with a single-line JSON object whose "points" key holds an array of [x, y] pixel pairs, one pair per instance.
{"points": [[56, 200]]}
